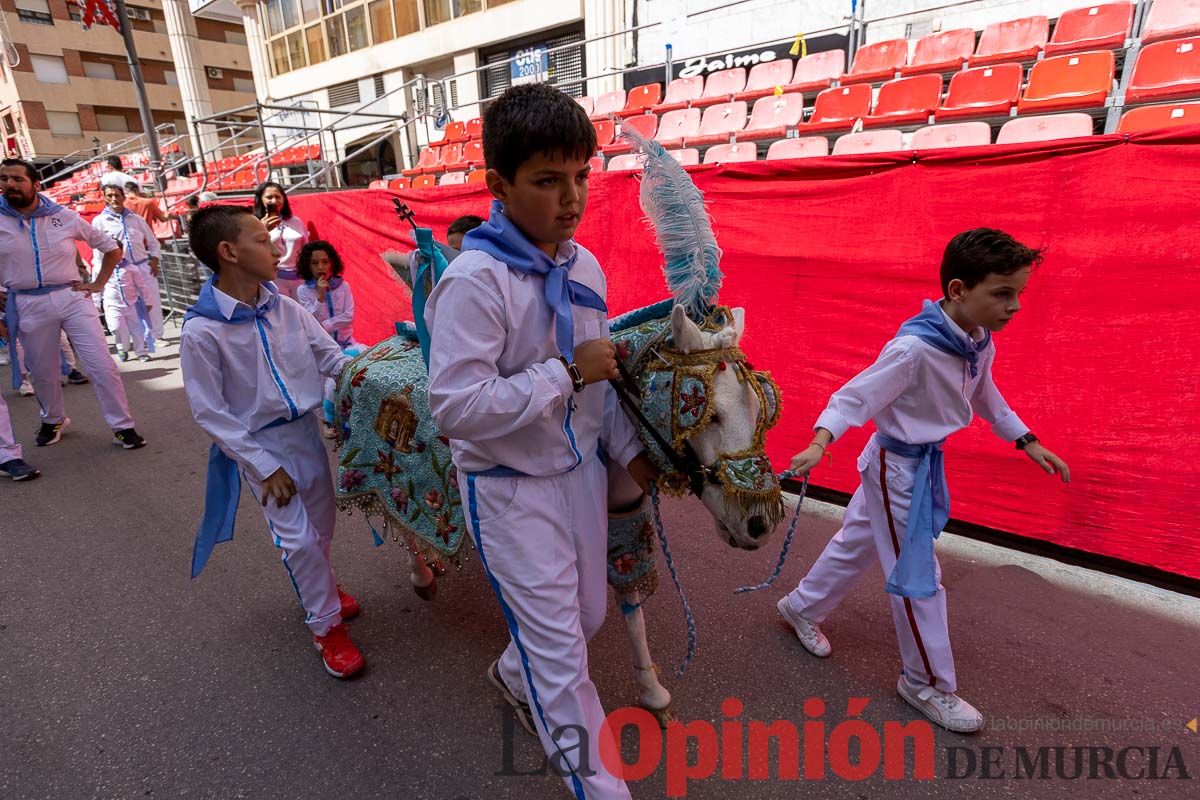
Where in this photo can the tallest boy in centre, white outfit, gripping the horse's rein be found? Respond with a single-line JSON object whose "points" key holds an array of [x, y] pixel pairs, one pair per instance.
{"points": [[519, 365]]}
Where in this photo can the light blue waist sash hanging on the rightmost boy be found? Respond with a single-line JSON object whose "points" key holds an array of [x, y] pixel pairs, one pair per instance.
{"points": [[915, 575]]}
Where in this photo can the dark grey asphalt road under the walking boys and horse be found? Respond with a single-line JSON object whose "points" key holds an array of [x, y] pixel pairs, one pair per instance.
{"points": [[122, 678]]}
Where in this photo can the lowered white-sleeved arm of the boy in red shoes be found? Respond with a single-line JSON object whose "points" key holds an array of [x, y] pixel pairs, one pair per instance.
{"points": [[201, 363]]}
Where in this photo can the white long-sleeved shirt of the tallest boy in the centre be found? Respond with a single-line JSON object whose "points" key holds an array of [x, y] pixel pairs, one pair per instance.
{"points": [[497, 388]]}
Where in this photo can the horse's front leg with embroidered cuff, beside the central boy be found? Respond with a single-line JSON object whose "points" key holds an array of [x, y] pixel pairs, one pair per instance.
{"points": [[627, 521]]}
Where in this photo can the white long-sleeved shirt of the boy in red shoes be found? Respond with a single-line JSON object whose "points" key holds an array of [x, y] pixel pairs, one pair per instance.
{"points": [[238, 386]]}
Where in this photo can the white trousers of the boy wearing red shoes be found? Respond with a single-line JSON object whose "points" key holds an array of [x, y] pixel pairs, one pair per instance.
{"points": [[304, 528]]}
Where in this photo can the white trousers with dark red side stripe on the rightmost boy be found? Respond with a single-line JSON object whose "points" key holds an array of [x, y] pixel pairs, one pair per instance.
{"points": [[872, 533]]}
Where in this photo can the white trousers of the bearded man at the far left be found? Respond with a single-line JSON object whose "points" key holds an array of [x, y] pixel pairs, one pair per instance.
{"points": [[44, 318]]}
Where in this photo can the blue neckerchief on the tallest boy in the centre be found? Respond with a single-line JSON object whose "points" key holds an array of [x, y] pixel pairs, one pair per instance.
{"points": [[505, 242]]}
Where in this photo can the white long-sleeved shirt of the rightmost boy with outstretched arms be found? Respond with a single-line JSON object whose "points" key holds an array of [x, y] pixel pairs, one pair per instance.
{"points": [[920, 395]]}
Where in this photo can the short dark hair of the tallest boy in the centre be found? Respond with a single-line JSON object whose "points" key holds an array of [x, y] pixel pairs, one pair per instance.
{"points": [[531, 119]]}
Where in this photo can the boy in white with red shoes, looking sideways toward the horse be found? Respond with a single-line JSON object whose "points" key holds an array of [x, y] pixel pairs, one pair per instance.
{"points": [[254, 363]]}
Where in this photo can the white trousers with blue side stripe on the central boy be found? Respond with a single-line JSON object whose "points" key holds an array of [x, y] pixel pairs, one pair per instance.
{"points": [[543, 543]]}
